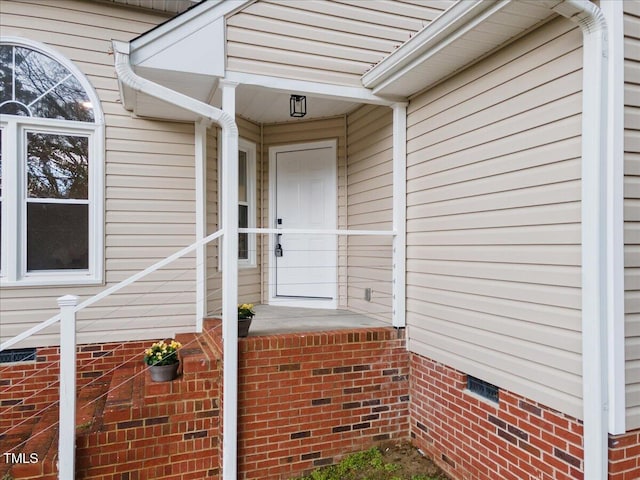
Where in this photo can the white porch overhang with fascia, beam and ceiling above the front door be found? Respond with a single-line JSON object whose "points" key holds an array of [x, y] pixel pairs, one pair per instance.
{"points": [[188, 55]]}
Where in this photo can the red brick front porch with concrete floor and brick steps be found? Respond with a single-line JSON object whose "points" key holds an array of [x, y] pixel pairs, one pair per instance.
{"points": [[305, 399]]}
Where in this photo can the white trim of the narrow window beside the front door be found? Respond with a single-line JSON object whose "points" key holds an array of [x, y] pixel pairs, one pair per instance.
{"points": [[251, 150]]}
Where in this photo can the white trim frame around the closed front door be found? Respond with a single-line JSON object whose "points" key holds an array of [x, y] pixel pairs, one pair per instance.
{"points": [[299, 302]]}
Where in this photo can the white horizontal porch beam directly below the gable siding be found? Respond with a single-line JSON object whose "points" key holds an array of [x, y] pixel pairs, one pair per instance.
{"points": [[322, 90]]}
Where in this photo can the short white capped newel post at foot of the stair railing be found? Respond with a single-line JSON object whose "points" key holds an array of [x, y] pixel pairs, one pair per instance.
{"points": [[67, 420]]}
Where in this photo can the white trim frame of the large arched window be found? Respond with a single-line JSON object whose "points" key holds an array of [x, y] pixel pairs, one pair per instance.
{"points": [[13, 258]]}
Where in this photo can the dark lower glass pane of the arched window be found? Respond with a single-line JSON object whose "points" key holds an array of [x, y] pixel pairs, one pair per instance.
{"points": [[57, 236]]}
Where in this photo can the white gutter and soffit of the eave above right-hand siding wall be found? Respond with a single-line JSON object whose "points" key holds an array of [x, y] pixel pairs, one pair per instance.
{"points": [[463, 33]]}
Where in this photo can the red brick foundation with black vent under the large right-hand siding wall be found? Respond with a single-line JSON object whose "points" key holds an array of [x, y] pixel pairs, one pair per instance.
{"points": [[475, 439]]}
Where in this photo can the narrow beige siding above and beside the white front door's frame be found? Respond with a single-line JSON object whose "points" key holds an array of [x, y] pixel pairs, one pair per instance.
{"points": [[304, 132]]}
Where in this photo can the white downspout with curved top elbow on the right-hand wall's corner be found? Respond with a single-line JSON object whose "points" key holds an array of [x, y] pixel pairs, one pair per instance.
{"points": [[594, 241]]}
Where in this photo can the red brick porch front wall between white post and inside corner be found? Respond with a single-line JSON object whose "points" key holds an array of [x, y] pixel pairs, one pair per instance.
{"points": [[306, 400]]}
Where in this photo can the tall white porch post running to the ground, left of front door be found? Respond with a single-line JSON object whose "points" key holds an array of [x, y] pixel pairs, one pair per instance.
{"points": [[230, 288]]}
